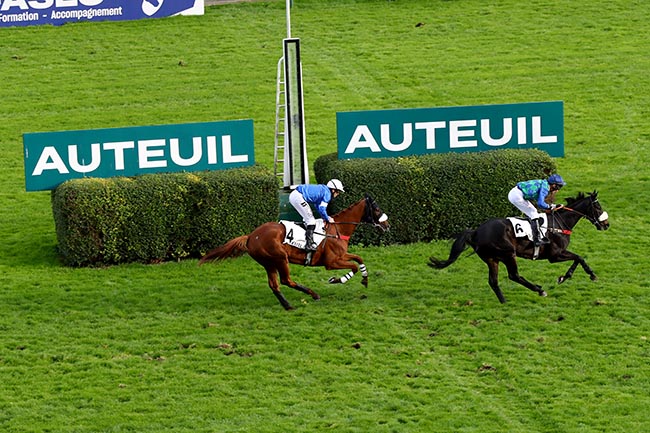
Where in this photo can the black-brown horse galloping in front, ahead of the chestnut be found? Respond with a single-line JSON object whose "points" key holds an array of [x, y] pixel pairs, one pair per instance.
{"points": [[494, 241]]}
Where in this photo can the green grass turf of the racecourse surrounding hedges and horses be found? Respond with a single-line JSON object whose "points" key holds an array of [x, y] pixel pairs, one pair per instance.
{"points": [[173, 347]]}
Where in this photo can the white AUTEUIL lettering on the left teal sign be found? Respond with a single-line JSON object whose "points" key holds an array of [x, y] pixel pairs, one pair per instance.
{"points": [[151, 154]]}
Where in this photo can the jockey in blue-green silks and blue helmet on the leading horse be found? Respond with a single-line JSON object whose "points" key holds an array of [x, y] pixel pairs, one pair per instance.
{"points": [[536, 190]]}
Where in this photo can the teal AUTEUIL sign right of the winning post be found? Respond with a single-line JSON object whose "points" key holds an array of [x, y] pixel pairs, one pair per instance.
{"points": [[419, 131]]}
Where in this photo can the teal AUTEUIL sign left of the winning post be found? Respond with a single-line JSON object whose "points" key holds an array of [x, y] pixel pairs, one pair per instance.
{"points": [[54, 157]]}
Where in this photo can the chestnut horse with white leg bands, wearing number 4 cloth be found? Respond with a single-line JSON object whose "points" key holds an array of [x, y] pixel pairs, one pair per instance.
{"points": [[265, 245]]}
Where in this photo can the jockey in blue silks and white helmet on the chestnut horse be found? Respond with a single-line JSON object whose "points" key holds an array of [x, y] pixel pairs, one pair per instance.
{"points": [[319, 195]]}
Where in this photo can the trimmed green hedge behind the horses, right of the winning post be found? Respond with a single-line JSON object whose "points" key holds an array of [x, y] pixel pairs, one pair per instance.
{"points": [[433, 196]]}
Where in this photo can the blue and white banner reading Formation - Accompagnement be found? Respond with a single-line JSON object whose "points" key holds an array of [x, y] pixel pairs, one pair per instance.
{"points": [[57, 12]]}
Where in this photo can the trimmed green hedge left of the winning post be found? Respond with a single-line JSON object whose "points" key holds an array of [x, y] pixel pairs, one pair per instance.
{"points": [[159, 217]]}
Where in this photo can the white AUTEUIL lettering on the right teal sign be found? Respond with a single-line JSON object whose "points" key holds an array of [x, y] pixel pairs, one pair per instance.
{"points": [[461, 134]]}
